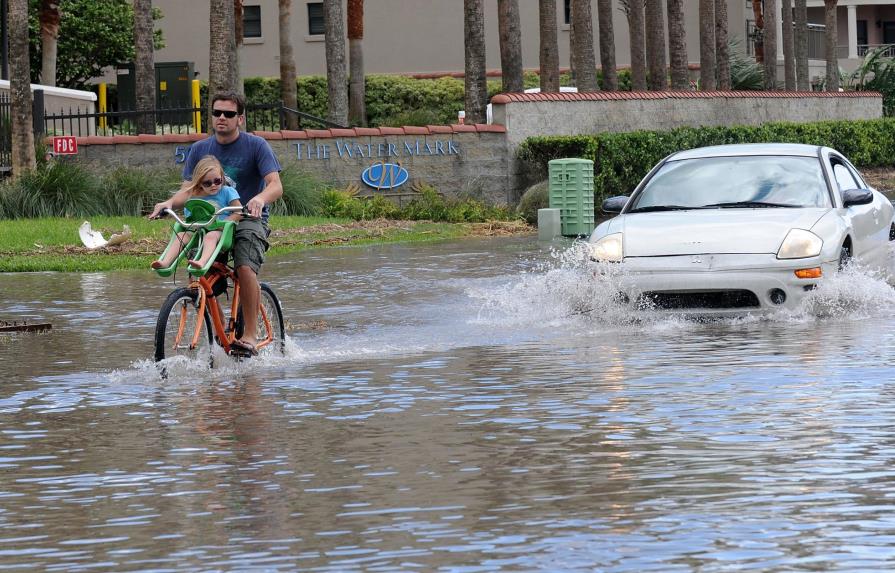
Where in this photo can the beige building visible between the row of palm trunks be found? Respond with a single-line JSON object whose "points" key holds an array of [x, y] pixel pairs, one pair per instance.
{"points": [[400, 36]]}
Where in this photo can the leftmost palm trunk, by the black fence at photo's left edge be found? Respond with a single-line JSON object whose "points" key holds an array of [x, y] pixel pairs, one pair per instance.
{"points": [[20, 89]]}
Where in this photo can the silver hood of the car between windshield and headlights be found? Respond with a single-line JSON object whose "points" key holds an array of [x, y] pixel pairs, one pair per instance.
{"points": [[731, 231]]}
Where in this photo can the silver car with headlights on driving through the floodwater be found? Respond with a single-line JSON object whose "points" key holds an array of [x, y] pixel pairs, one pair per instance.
{"points": [[741, 228]]}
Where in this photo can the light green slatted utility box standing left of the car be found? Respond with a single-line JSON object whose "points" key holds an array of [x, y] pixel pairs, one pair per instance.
{"points": [[571, 183]]}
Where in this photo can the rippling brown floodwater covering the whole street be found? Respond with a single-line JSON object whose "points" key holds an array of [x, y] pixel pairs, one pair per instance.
{"points": [[465, 406]]}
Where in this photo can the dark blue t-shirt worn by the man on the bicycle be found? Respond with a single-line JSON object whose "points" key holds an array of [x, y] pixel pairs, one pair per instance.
{"points": [[246, 161]]}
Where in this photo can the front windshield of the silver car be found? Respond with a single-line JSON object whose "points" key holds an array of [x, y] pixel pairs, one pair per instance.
{"points": [[743, 181]]}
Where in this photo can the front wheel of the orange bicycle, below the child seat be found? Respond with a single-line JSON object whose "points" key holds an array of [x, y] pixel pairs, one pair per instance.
{"points": [[176, 327]]}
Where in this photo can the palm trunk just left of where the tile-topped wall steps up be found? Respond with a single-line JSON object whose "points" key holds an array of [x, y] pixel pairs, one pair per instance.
{"points": [[475, 83]]}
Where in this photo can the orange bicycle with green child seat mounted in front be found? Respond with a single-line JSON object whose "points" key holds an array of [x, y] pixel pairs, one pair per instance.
{"points": [[192, 320]]}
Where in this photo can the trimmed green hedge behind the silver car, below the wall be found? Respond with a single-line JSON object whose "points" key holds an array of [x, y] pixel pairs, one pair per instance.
{"points": [[621, 160]]}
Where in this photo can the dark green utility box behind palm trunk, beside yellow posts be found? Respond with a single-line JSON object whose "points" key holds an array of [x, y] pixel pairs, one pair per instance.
{"points": [[173, 89]]}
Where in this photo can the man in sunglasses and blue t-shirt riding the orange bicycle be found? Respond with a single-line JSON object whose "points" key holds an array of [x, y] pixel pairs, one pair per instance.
{"points": [[250, 162]]}
